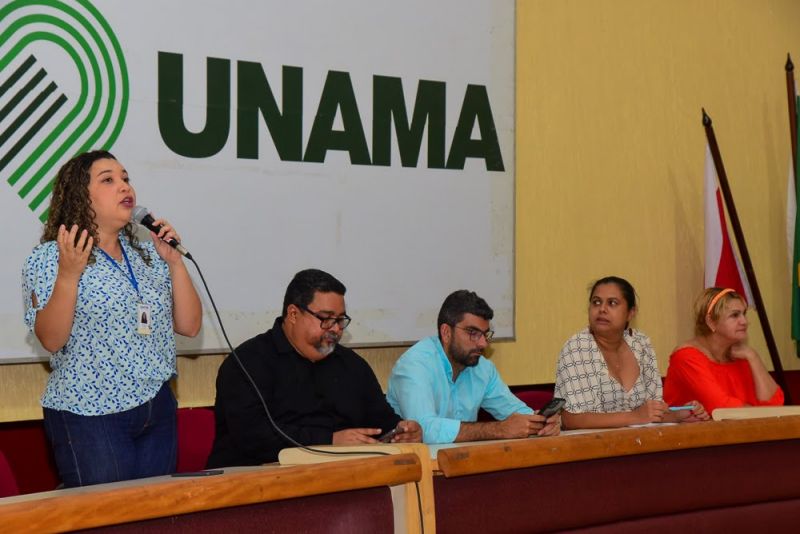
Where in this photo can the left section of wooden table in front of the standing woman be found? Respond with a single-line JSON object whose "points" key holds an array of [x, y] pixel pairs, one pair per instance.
{"points": [[209, 503]]}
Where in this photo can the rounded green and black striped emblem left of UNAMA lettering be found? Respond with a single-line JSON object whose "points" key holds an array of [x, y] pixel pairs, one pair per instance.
{"points": [[63, 90]]}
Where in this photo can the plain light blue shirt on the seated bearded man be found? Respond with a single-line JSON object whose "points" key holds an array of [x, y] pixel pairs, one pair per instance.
{"points": [[421, 388]]}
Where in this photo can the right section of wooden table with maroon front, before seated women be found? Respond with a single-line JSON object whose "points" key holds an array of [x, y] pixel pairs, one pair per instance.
{"points": [[731, 475]]}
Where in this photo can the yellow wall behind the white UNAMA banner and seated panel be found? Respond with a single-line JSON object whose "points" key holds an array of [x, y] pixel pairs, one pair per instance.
{"points": [[610, 172]]}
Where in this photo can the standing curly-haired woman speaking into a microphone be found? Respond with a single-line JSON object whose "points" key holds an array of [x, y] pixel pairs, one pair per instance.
{"points": [[107, 307]]}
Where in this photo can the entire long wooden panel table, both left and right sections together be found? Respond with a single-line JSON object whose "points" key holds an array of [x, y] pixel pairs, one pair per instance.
{"points": [[736, 476]]}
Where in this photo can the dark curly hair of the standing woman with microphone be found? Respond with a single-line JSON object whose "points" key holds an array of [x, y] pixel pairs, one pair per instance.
{"points": [[70, 203]]}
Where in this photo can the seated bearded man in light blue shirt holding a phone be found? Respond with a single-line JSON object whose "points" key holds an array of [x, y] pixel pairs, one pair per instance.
{"points": [[443, 380]]}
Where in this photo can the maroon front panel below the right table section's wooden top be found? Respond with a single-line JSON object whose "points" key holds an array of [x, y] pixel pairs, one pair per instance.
{"points": [[568, 497]]}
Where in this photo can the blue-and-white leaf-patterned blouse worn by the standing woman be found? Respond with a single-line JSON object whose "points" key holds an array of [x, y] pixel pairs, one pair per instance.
{"points": [[106, 366]]}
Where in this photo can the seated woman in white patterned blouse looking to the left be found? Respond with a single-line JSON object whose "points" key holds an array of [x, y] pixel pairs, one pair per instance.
{"points": [[608, 372]]}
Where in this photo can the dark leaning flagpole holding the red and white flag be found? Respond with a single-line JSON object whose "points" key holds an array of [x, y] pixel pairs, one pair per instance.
{"points": [[745, 255]]}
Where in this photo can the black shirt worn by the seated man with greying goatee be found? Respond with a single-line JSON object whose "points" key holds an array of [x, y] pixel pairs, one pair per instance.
{"points": [[308, 400]]}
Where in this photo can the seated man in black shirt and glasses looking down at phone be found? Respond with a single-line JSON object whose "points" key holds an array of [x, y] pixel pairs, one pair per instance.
{"points": [[317, 391]]}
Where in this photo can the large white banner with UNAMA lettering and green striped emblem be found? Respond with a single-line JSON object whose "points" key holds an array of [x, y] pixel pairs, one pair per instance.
{"points": [[371, 139]]}
